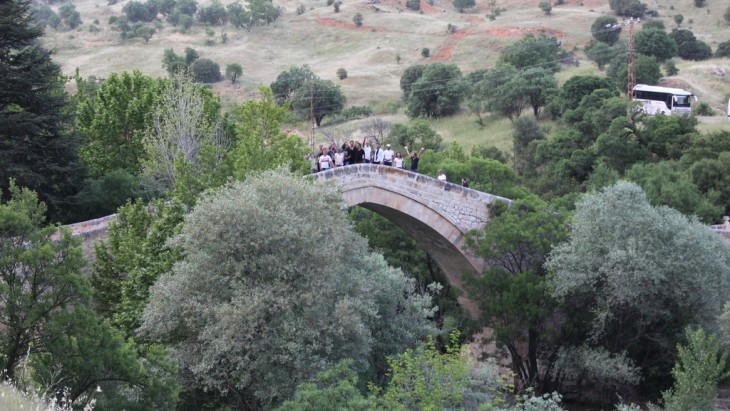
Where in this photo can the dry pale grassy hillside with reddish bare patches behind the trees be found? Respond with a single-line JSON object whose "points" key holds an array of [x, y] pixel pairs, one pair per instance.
{"points": [[327, 41]]}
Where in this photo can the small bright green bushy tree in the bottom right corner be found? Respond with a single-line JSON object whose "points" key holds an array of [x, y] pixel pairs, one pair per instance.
{"points": [[700, 367]]}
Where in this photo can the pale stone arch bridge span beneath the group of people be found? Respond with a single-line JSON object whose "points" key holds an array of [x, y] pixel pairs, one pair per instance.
{"points": [[435, 213]]}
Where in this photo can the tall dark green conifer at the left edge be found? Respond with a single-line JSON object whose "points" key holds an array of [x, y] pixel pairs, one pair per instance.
{"points": [[35, 150]]}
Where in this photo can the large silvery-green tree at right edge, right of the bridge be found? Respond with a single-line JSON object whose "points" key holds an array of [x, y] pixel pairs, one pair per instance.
{"points": [[640, 274]]}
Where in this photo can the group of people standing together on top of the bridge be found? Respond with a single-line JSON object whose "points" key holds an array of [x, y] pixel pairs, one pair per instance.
{"points": [[354, 152]]}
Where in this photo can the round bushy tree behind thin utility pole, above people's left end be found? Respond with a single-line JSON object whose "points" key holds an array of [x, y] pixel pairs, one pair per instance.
{"points": [[318, 98]]}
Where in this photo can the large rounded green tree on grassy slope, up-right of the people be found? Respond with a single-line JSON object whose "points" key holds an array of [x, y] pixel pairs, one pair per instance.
{"points": [[438, 92]]}
